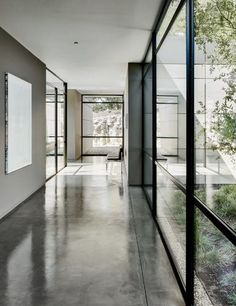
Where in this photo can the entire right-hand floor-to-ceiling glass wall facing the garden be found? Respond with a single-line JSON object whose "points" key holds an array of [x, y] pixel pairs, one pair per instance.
{"points": [[194, 200]]}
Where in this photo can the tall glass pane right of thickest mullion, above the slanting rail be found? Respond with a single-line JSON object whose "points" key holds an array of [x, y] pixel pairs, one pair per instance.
{"points": [[215, 116]]}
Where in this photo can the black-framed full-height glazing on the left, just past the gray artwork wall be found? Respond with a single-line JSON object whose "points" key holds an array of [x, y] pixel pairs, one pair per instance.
{"points": [[55, 124]]}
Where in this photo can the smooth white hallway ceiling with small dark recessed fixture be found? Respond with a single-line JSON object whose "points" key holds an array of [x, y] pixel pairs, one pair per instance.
{"points": [[110, 33]]}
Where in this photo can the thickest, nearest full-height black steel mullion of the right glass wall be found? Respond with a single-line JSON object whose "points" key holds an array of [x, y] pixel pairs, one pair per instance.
{"points": [[190, 156]]}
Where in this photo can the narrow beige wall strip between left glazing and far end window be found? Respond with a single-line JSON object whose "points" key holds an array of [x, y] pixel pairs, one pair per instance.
{"points": [[74, 125]]}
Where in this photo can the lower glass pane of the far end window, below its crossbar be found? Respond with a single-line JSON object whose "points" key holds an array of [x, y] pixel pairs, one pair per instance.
{"points": [[101, 146]]}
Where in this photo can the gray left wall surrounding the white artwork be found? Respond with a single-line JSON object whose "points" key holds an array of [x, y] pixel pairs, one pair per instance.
{"points": [[17, 186]]}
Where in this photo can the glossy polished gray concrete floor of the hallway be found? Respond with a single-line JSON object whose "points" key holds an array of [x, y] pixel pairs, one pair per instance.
{"points": [[85, 239]]}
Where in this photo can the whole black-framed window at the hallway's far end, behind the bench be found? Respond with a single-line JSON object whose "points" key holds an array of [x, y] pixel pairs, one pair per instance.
{"points": [[102, 124]]}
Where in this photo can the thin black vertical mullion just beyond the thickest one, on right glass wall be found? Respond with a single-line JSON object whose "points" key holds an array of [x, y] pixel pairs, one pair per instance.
{"points": [[154, 111]]}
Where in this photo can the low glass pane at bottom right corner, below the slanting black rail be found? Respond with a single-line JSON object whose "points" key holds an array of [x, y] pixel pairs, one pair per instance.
{"points": [[215, 280]]}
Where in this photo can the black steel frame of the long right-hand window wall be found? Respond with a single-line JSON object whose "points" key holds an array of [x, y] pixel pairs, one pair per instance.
{"points": [[192, 201]]}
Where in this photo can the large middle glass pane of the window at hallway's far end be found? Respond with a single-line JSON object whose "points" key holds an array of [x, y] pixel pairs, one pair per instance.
{"points": [[102, 119]]}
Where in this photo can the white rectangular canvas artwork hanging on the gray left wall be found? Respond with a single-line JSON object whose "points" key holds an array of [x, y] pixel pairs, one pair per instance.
{"points": [[18, 123]]}
